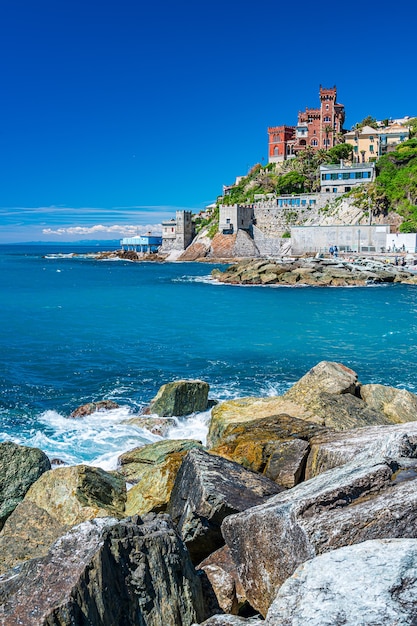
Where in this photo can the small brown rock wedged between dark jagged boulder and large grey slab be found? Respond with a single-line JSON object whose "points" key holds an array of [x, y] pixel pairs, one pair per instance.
{"points": [[220, 570]]}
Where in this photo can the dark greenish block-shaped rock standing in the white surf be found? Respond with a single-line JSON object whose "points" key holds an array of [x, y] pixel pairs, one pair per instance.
{"points": [[179, 398]]}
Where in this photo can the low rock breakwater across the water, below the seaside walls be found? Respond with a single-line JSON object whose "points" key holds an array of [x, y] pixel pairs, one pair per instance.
{"points": [[314, 272]]}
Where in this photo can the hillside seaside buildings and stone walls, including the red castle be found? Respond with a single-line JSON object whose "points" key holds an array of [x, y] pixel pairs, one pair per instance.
{"points": [[298, 224]]}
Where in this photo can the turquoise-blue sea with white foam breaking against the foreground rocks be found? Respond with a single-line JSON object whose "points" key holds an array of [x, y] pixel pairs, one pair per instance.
{"points": [[74, 329]]}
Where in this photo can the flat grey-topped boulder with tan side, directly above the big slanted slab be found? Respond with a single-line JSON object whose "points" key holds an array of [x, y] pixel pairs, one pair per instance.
{"points": [[332, 449]]}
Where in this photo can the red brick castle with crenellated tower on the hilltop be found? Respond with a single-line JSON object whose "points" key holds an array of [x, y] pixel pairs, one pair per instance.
{"points": [[318, 128]]}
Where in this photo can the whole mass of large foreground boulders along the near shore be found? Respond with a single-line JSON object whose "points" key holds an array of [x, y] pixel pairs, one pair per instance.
{"points": [[300, 508]]}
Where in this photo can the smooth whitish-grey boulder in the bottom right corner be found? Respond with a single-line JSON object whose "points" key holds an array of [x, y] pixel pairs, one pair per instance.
{"points": [[372, 584]]}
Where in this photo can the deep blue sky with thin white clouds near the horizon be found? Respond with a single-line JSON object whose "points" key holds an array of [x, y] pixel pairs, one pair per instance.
{"points": [[115, 113]]}
